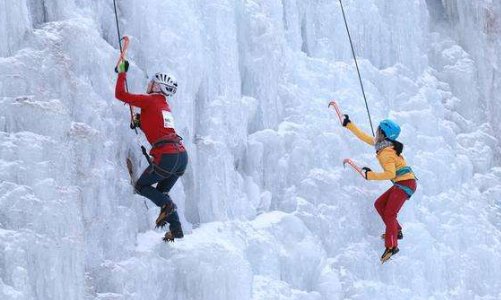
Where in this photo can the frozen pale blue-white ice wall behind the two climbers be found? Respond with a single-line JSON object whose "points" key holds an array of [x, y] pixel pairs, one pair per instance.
{"points": [[269, 210]]}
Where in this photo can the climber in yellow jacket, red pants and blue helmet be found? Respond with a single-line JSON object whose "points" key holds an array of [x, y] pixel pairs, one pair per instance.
{"points": [[389, 154]]}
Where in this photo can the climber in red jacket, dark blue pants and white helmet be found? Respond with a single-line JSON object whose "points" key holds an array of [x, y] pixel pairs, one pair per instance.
{"points": [[169, 155]]}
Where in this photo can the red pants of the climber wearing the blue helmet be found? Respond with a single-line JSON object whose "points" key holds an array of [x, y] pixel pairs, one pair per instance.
{"points": [[388, 205]]}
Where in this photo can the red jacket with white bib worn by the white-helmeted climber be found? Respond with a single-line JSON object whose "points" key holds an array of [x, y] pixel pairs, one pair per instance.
{"points": [[156, 118]]}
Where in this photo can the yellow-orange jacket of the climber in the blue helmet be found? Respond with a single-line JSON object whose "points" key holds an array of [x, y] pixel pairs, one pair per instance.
{"points": [[387, 157]]}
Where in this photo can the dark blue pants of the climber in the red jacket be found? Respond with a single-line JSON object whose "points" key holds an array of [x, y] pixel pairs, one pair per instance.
{"points": [[166, 173]]}
